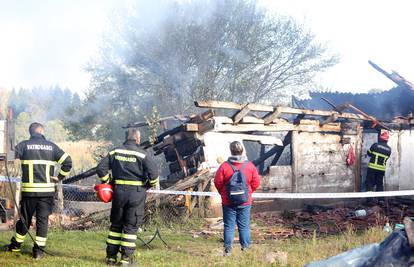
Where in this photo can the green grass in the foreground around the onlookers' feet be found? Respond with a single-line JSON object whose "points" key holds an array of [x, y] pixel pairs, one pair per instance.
{"points": [[87, 248]]}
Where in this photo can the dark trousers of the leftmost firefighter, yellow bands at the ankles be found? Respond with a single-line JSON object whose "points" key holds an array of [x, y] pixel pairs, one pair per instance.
{"points": [[41, 207]]}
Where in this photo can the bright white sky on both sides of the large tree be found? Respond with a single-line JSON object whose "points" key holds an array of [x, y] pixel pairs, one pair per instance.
{"points": [[47, 43]]}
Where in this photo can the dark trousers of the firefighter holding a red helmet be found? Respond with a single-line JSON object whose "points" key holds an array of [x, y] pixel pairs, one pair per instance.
{"points": [[127, 213]]}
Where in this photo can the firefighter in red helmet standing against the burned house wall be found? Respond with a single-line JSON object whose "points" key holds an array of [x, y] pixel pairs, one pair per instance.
{"points": [[379, 154]]}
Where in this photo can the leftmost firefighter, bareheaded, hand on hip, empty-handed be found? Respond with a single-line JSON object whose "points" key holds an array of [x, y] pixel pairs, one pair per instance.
{"points": [[38, 158]]}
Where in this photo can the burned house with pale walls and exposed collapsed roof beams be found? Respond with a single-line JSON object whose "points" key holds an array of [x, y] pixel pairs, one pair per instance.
{"points": [[296, 150]]}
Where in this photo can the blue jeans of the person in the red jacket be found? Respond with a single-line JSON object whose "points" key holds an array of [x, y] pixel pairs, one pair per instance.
{"points": [[241, 216]]}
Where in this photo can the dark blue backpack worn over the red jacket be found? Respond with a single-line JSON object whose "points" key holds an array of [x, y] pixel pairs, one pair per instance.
{"points": [[237, 190]]}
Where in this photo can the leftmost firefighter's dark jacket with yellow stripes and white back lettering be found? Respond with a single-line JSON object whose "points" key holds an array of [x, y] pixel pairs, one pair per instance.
{"points": [[38, 158]]}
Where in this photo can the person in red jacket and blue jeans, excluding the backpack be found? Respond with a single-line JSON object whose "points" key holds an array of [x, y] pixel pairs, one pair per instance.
{"points": [[236, 214]]}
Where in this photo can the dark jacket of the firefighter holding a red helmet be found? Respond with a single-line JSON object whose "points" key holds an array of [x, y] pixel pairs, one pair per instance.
{"points": [[130, 165]]}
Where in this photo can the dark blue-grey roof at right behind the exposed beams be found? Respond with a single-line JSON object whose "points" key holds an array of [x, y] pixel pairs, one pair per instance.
{"points": [[384, 105]]}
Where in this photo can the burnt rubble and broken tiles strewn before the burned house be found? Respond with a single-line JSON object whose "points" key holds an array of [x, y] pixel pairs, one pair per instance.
{"points": [[321, 220]]}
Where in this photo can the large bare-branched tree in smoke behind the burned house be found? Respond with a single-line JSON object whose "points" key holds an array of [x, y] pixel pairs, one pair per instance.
{"points": [[218, 49]]}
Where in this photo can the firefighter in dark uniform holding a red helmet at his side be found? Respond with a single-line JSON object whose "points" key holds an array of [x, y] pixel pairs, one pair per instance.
{"points": [[133, 171]]}
